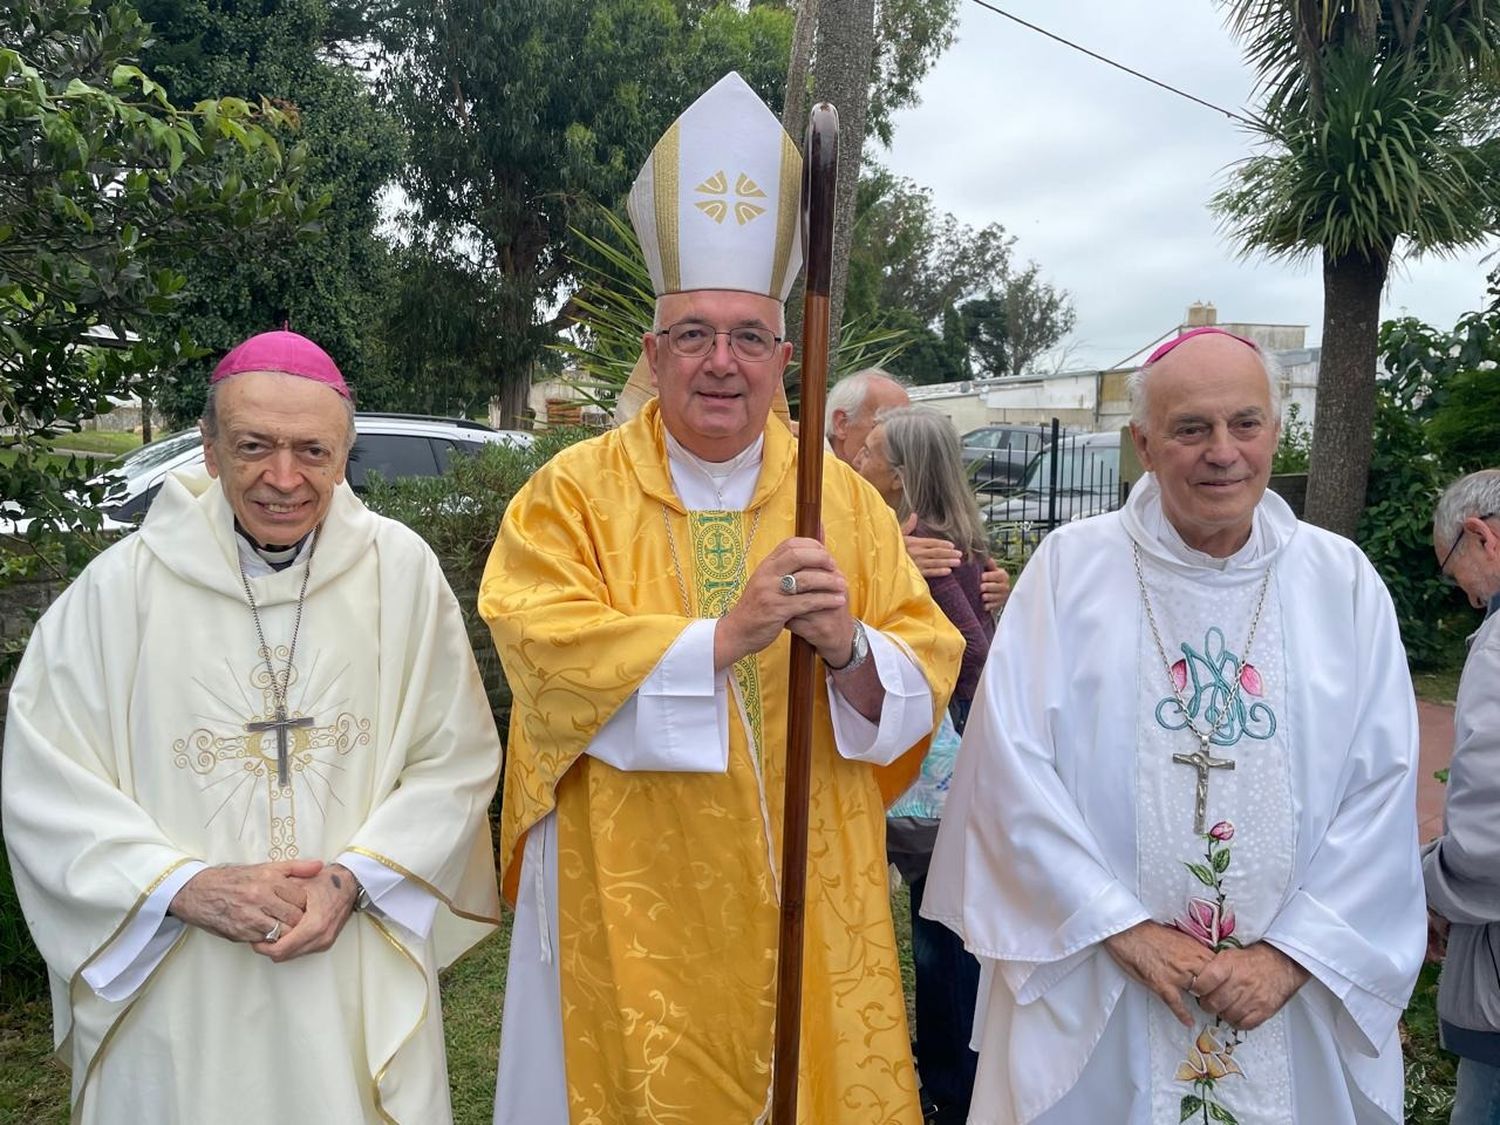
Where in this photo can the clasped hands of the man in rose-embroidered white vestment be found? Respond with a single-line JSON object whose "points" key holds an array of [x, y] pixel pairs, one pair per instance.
{"points": [[1244, 988]]}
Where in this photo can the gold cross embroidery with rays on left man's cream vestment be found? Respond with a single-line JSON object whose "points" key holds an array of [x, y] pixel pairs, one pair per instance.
{"points": [[239, 764]]}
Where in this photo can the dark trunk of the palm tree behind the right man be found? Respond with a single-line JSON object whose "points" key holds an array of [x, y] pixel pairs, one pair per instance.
{"points": [[1343, 427]]}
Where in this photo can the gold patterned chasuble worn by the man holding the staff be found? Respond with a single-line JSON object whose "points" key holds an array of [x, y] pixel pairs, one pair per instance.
{"points": [[668, 883]]}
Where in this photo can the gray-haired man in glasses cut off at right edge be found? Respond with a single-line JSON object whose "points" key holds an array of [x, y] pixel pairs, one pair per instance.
{"points": [[1463, 866]]}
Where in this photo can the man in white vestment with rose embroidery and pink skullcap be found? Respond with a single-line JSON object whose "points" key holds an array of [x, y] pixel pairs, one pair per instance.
{"points": [[1183, 827]]}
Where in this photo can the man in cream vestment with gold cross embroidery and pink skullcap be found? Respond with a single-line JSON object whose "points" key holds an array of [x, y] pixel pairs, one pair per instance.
{"points": [[247, 772]]}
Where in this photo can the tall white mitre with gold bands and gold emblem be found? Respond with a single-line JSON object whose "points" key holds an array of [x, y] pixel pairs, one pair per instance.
{"points": [[718, 203]]}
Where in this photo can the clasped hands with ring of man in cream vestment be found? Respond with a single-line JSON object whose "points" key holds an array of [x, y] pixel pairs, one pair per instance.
{"points": [[305, 904]]}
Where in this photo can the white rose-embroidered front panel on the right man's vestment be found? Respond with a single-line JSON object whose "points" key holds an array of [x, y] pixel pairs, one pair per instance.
{"points": [[1204, 629]]}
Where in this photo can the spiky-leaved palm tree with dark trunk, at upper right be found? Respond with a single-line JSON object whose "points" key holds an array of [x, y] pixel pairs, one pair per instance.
{"points": [[1381, 136]]}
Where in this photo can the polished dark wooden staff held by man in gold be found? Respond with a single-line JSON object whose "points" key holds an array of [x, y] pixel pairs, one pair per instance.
{"points": [[820, 175]]}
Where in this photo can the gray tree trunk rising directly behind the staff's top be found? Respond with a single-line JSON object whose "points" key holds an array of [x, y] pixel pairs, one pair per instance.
{"points": [[844, 68]]}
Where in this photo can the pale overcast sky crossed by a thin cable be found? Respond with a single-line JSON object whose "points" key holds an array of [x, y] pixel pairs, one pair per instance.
{"points": [[1106, 181]]}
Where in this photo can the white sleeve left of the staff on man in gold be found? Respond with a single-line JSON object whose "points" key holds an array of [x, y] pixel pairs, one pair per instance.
{"points": [[679, 719]]}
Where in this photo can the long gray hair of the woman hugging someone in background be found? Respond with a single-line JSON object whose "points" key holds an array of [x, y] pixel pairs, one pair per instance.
{"points": [[923, 449]]}
